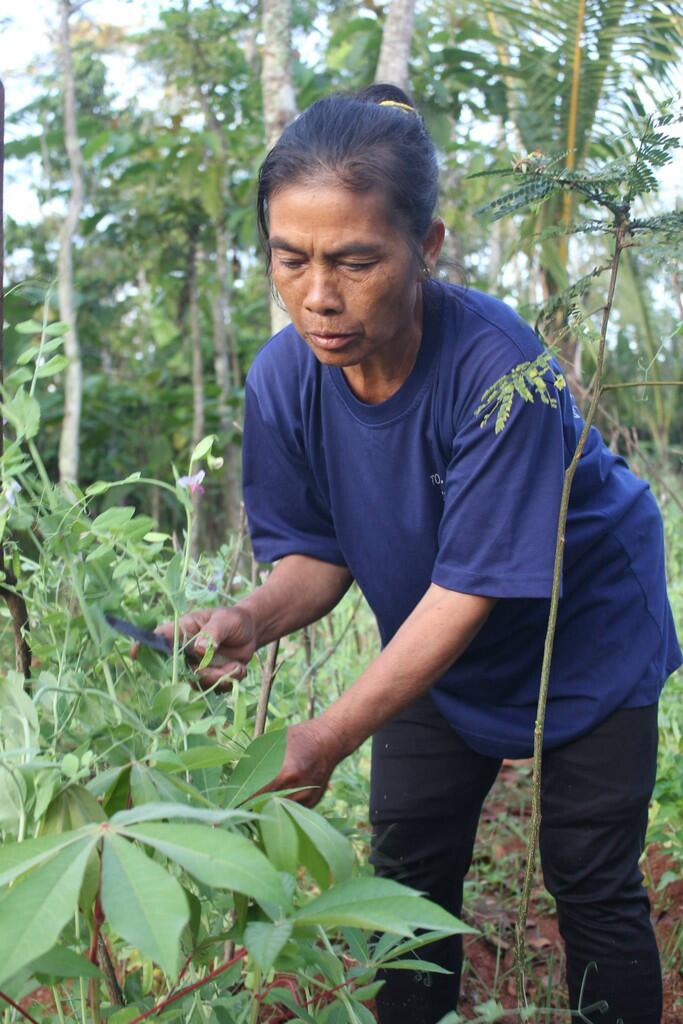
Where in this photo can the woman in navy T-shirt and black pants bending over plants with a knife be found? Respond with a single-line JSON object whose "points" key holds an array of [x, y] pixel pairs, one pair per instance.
{"points": [[365, 459]]}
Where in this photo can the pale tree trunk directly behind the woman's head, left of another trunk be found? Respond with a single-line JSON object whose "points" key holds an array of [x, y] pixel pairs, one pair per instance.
{"points": [[278, 91]]}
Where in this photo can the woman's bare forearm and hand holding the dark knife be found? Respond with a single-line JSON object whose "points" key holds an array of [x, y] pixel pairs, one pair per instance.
{"points": [[298, 591]]}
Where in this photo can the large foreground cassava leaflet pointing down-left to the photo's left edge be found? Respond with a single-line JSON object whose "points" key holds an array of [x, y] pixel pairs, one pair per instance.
{"points": [[38, 907]]}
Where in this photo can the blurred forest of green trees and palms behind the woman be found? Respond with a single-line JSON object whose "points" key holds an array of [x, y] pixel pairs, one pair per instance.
{"points": [[134, 138]]}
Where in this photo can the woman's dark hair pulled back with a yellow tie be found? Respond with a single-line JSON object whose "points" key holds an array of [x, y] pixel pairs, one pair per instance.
{"points": [[363, 145]]}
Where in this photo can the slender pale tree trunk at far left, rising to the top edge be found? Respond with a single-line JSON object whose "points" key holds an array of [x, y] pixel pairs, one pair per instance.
{"points": [[69, 441]]}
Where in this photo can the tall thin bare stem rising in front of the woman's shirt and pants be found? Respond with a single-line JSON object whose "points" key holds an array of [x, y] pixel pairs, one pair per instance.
{"points": [[535, 826]]}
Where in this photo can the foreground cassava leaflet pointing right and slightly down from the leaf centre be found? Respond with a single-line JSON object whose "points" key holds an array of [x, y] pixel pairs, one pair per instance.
{"points": [[219, 859]]}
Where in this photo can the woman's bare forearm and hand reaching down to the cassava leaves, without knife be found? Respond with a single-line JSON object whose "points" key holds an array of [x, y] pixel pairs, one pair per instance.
{"points": [[435, 635]]}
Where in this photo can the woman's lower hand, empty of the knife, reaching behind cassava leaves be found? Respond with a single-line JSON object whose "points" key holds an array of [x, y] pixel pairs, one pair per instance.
{"points": [[314, 751]]}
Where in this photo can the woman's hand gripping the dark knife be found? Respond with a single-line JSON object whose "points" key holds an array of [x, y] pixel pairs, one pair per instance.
{"points": [[232, 631]]}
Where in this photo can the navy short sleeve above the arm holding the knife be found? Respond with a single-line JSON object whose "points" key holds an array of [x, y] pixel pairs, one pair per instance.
{"points": [[285, 509]]}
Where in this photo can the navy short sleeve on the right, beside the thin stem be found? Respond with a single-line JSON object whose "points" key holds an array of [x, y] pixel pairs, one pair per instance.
{"points": [[502, 499]]}
